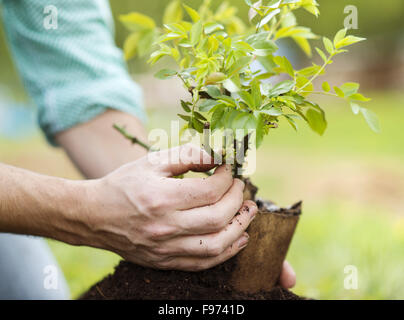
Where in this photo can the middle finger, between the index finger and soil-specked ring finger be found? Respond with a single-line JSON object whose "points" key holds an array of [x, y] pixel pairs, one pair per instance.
{"points": [[212, 218]]}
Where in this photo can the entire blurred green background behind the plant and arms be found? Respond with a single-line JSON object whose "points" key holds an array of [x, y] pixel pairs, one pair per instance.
{"points": [[351, 180]]}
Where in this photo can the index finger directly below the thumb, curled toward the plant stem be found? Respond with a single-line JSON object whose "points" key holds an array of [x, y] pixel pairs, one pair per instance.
{"points": [[198, 192]]}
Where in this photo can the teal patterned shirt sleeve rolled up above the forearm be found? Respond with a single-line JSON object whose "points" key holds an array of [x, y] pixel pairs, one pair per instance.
{"points": [[68, 61]]}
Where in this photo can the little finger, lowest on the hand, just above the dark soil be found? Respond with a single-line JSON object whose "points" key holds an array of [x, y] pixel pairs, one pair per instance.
{"points": [[194, 264]]}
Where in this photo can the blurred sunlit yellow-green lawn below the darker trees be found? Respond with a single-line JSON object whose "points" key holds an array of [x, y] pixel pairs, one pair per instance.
{"points": [[352, 183]]}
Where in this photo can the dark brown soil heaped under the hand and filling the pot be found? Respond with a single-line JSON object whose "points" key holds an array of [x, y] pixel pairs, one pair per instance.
{"points": [[133, 282]]}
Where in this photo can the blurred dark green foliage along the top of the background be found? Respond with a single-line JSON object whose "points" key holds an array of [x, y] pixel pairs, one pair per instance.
{"points": [[382, 23]]}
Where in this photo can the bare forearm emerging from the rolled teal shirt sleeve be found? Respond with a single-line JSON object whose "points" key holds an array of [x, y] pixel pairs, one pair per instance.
{"points": [[97, 149]]}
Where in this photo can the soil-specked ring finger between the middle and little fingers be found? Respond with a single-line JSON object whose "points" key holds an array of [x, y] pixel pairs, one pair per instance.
{"points": [[212, 245]]}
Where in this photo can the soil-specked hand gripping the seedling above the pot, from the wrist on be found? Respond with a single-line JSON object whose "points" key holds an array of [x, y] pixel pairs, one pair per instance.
{"points": [[147, 216]]}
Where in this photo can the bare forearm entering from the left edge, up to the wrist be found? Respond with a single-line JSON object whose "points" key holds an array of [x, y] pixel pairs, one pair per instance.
{"points": [[39, 205]]}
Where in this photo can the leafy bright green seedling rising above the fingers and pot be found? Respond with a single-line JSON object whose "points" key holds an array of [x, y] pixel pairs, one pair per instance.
{"points": [[229, 67]]}
